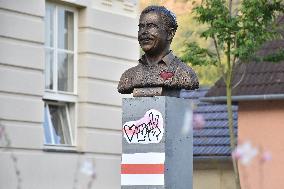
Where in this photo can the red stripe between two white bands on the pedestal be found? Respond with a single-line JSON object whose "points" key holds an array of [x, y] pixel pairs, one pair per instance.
{"points": [[142, 168]]}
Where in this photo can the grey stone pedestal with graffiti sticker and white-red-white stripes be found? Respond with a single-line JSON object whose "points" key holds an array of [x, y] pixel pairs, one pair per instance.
{"points": [[156, 143]]}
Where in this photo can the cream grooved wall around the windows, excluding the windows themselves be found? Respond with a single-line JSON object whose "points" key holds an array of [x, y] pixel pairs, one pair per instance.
{"points": [[107, 46]]}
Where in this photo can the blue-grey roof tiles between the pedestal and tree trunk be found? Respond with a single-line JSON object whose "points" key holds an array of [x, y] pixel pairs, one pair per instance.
{"points": [[213, 140]]}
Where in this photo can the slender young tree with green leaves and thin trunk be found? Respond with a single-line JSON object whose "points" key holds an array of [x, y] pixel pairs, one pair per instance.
{"points": [[237, 30]]}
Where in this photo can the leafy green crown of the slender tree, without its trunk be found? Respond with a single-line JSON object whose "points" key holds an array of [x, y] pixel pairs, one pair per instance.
{"points": [[238, 32]]}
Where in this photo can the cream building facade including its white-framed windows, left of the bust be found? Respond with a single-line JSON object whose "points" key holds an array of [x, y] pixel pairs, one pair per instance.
{"points": [[60, 62]]}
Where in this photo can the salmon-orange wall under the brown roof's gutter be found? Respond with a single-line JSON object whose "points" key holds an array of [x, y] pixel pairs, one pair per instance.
{"points": [[262, 123]]}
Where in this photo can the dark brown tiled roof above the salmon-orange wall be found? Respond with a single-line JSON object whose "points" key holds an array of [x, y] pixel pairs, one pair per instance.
{"points": [[256, 79]]}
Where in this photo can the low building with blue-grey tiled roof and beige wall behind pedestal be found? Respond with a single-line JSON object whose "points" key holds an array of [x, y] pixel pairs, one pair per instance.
{"points": [[212, 165]]}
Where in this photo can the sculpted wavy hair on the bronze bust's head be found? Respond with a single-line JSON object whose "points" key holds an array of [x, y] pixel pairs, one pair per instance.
{"points": [[168, 17]]}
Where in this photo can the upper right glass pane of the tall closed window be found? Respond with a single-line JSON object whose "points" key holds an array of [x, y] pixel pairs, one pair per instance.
{"points": [[65, 29]]}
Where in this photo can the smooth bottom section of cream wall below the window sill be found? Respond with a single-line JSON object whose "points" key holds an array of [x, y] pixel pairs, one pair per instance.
{"points": [[49, 170]]}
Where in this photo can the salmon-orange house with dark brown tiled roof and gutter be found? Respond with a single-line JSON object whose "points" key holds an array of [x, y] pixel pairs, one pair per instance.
{"points": [[259, 95]]}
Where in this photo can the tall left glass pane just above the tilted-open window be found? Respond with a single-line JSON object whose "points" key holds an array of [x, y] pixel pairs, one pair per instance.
{"points": [[48, 71]]}
